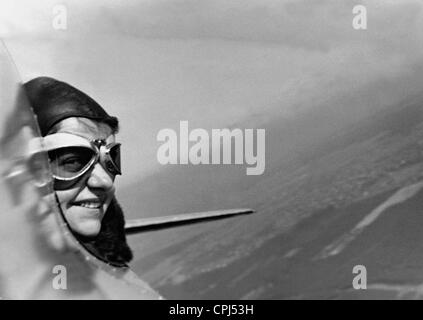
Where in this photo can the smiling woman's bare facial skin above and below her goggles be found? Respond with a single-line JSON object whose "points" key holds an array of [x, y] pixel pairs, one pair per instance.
{"points": [[86, 201]]}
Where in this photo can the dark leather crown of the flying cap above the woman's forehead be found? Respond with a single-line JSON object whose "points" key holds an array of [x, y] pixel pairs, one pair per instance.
{"points": [[53, 101]]}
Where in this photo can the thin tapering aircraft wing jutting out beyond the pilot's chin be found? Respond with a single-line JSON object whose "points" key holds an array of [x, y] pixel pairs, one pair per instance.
{"points": [[157, 223]]}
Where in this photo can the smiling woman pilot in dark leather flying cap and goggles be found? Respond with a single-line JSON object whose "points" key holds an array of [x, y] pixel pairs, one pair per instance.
{"points": [[79, 136]]}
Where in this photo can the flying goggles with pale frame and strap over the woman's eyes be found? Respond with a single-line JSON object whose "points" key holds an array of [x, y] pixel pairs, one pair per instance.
{"points": [[72, 156]]}
